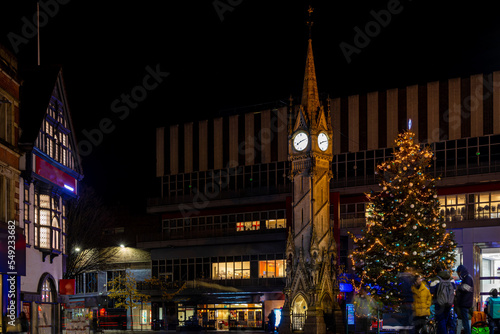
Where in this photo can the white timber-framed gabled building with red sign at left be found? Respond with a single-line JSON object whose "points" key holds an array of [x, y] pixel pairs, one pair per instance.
{"points": [[50, 176]]}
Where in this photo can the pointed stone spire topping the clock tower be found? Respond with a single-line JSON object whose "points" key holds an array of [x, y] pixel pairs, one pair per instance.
{"points": [[310, 96]]}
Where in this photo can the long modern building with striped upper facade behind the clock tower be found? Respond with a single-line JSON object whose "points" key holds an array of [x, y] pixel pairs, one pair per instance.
{"points": [[227, 201]]}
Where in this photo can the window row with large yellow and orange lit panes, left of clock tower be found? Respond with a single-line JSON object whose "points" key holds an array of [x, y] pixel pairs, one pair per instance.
{"points": [[220, 268]]}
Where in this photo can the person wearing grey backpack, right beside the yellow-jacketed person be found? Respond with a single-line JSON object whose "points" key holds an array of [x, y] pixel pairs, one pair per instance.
{"points": [[442, 288]]}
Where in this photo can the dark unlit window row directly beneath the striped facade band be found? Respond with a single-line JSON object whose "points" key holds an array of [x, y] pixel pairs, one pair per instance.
{"points": [[451, 158]]}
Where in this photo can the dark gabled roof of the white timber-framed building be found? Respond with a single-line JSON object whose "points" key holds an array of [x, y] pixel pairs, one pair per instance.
{"points": [[39, 85]]}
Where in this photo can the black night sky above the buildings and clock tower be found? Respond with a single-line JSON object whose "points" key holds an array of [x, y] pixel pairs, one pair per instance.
{"points": [[243, 53]]}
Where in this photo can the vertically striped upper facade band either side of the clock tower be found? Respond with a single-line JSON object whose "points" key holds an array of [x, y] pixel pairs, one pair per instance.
{"points": [[441, 110]]}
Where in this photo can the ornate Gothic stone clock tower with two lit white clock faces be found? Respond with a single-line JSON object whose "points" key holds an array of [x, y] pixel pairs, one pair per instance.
{"points": [[311, 292]]}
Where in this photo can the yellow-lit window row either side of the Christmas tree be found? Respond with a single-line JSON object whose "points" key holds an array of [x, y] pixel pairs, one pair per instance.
{"points": [[452, 208]]}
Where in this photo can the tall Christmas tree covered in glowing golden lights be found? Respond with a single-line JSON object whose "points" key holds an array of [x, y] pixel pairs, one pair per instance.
{"points": [[405, 232]]}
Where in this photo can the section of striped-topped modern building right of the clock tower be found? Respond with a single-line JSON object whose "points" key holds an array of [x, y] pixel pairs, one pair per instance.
{"points": [[460, 119]]}
